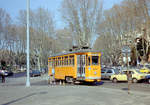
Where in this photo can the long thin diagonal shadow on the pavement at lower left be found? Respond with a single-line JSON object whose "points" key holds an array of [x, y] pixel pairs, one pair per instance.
{"points": [[19, 99]]}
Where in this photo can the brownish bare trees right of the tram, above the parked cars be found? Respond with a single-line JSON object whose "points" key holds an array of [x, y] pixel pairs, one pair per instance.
{"points": [[121, 25]]}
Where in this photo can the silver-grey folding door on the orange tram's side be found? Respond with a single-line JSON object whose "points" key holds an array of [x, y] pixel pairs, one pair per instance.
{"points": [[81, 66]]}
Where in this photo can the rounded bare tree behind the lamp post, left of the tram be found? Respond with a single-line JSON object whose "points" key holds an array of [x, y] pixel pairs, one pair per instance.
{"points": [[42, 32]]}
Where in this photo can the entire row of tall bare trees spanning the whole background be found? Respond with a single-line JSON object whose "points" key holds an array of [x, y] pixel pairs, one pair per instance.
{"points": [[86, 24]]}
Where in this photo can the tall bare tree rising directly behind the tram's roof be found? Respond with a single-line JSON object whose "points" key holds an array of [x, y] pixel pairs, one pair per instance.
{"points": [[82, 17]]}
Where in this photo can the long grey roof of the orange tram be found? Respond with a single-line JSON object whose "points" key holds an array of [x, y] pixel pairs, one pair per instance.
{"points": [[72, 52]]}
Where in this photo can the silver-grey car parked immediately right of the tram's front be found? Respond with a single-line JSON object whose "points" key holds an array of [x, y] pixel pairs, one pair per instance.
{"points": [[107, 72]]}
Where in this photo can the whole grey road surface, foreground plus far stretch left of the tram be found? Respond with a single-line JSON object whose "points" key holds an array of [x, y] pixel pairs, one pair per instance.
{"points": [[14, 92]]}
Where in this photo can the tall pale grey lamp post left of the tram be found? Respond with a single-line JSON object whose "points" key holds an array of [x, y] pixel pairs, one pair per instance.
{"points": [[28, 50]]}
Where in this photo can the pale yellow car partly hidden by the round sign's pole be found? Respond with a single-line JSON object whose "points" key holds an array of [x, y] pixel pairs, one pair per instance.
{"points": [[122, 76]]}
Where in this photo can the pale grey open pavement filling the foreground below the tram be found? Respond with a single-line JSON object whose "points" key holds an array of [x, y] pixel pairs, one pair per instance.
{"points": [[70, 95]]}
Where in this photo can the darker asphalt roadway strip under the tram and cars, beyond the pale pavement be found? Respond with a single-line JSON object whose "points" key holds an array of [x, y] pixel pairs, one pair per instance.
{"points": [[105, 83]]}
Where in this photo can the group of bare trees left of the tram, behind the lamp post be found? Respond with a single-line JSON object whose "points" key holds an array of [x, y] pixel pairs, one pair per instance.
{"points": [[13, 37]]}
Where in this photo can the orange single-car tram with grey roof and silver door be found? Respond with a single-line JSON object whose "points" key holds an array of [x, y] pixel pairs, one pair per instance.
{"points": [[76, 66]]}
